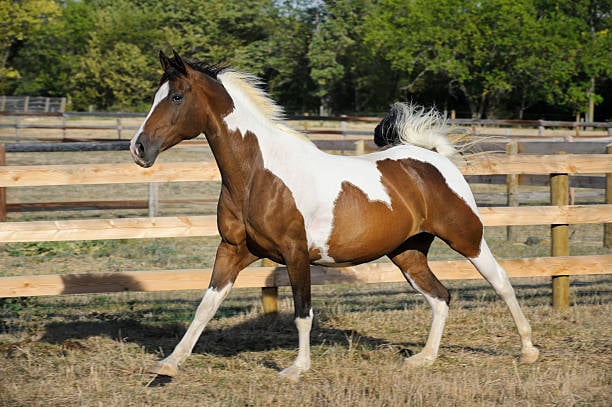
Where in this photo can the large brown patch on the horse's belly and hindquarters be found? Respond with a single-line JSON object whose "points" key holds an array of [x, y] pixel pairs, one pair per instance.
{"points": [[421, 201]]}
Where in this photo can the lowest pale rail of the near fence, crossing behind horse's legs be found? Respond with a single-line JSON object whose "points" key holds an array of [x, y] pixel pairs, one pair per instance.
{"points": [[198, 279]]}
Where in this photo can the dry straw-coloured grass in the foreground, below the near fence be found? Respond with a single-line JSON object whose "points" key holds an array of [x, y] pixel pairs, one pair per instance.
{"points": [[94, 350]]}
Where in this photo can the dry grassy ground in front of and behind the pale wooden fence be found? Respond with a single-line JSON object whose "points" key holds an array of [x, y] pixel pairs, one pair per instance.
{"points": [[86, 350]]}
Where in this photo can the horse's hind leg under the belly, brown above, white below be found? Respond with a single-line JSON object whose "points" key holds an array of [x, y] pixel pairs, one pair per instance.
{"points": [[411, 258]]}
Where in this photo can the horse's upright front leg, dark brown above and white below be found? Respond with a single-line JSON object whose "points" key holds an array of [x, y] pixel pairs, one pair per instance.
{"points": [[299, 275]]}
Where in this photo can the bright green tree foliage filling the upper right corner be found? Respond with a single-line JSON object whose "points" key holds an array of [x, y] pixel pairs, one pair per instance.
{"points": [[496, 50]]}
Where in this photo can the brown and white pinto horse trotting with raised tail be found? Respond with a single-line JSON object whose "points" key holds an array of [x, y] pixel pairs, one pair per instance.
{"points": [[284, 199]]}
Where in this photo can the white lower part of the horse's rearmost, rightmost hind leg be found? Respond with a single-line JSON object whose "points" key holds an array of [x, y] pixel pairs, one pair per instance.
{"points": [[497, 277]]}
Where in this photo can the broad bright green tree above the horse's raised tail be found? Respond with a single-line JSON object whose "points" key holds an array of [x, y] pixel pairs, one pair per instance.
{"points": [[480, 47]]}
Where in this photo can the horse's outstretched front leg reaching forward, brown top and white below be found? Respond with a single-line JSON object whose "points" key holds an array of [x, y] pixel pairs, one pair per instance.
{"points": [[229, 261]]}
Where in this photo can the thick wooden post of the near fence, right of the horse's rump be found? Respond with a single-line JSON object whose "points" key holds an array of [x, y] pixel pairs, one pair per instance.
{"points": [[559, 195]]}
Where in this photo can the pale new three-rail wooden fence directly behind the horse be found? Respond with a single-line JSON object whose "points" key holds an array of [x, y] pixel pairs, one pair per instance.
{"points": [[271, 277]]}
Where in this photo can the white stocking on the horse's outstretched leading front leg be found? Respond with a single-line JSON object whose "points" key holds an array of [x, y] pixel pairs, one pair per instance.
{"points": [[206, 310]]}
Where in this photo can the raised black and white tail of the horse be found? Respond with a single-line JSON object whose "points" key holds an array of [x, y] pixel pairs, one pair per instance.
{"points": [[410, 124]]}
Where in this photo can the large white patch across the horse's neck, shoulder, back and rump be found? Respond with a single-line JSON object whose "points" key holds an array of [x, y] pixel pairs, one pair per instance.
{"points": [[314, 177]]}
